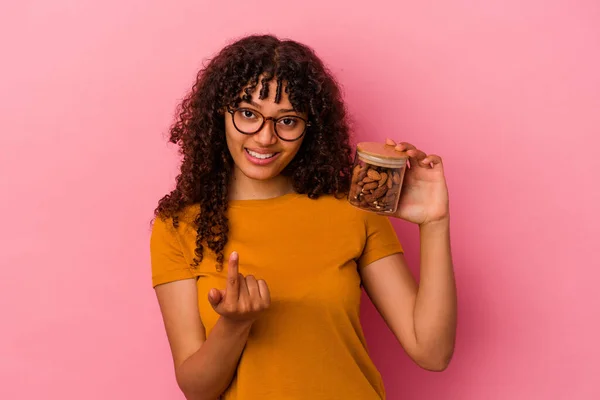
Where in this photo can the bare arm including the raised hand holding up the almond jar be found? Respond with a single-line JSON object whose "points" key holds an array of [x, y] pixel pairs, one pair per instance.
{"points": [[422, 317]]}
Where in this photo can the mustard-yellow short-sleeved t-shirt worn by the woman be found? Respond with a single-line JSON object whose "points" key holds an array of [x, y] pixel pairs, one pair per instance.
{"points": [[309, 344]]}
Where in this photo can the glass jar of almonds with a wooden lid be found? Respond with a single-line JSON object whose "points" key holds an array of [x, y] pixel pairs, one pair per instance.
{"points": [[377, 177]]}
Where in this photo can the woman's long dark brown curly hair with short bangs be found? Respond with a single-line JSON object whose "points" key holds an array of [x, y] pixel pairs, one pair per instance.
{"points": [[321, 166]]}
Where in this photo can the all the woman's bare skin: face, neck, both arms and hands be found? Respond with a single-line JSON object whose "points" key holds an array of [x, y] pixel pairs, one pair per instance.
{"points": [[421, 316]]}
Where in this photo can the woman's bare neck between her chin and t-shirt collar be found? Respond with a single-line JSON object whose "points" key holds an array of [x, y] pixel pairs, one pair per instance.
{"points": [[244, 188]]}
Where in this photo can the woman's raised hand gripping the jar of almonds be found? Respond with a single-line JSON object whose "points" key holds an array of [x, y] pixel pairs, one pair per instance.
{"points": [[424, 194]]}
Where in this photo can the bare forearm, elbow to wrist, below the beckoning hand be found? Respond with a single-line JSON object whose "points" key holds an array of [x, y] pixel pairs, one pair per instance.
{"points": [[207, 373]]}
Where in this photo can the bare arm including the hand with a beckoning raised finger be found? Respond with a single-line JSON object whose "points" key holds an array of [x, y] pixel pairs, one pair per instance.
{"points": [[204, 366]]}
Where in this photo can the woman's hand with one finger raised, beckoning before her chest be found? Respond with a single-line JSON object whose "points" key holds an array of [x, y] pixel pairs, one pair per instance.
{"points": [[243, 299]]}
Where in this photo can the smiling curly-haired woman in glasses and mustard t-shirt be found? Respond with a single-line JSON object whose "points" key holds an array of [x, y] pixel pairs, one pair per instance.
{"points": [[265, 171]]}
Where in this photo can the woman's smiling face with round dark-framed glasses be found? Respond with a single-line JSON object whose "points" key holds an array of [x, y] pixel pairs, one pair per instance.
{"points": [[263, 155]]}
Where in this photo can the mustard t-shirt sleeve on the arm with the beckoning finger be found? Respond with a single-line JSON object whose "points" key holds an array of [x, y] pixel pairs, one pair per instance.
{"points": [[166, 254]]}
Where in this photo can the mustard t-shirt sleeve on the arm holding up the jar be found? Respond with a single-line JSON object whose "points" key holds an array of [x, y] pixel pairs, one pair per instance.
{"points": [[381, 241]]}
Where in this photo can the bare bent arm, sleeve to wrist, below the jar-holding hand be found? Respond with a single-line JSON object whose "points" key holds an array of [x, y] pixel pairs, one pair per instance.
{"points": [[422, 317]]}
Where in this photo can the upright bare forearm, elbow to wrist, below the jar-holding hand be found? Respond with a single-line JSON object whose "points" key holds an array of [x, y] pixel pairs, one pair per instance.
{"points": [[435, 304]]}
